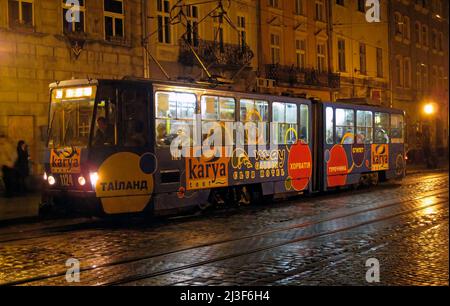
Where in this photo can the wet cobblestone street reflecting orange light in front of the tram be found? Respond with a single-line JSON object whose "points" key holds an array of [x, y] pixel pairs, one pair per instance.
{"points": [[320, 240]]}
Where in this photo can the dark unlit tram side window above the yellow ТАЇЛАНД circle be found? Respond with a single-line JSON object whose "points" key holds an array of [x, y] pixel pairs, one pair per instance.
{"points": [[135, 117]]}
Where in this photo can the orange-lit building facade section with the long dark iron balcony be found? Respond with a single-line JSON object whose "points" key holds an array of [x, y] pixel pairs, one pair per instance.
{"points": [[295, 48]]}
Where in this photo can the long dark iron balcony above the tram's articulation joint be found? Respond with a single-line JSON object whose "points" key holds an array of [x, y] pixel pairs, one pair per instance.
{"points": [[298, 77]]}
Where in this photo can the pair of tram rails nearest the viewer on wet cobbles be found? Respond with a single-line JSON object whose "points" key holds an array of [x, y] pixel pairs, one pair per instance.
{"points": [[434, 194]]}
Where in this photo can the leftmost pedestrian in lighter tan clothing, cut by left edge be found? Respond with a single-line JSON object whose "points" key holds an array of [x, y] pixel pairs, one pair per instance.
{"points": [[8, 156]]}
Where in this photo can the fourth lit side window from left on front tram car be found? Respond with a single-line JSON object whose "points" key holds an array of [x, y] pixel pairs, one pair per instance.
{"points": [[285, 122]]}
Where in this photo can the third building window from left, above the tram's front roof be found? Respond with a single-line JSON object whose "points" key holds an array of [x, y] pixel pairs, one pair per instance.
{"points": [[114, 19]]}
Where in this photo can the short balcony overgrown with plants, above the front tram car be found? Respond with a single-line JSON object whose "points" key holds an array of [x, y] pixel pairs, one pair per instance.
{"points": [[216, 55]]}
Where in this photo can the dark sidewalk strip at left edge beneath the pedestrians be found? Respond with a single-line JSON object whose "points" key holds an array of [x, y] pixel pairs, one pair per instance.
{"points": [[19, 207]]}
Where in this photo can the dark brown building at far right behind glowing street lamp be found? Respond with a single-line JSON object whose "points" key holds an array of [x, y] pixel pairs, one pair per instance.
{"points": [[419, 66]]}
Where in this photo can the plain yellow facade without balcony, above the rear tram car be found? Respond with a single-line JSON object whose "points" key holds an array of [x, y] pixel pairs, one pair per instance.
{"points": [[360, 52]]}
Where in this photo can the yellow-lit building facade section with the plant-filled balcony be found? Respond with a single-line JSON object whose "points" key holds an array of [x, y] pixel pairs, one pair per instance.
{"points": [[212, 40]]}
